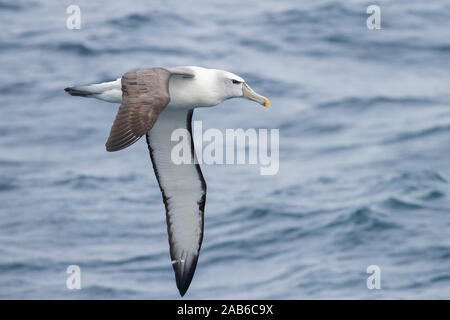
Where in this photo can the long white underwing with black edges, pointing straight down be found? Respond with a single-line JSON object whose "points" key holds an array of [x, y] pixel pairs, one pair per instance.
{"points": [[184, 192]]}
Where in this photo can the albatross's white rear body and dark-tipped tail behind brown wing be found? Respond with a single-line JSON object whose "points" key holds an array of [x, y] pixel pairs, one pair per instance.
{"points": [[106, 91]]}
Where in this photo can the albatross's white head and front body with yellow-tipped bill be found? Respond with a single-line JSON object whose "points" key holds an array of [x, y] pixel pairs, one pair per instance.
{"points": [[209, 87]]}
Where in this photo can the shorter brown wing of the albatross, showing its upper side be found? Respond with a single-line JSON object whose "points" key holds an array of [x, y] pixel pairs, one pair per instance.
{"points": [[145, 93]]}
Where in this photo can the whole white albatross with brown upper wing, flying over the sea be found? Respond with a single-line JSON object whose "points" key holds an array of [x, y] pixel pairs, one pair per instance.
{"points": [[154, 102]]}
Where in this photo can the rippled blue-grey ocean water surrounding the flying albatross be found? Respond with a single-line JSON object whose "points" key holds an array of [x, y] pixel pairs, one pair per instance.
{"points": [[364, 120]]}
